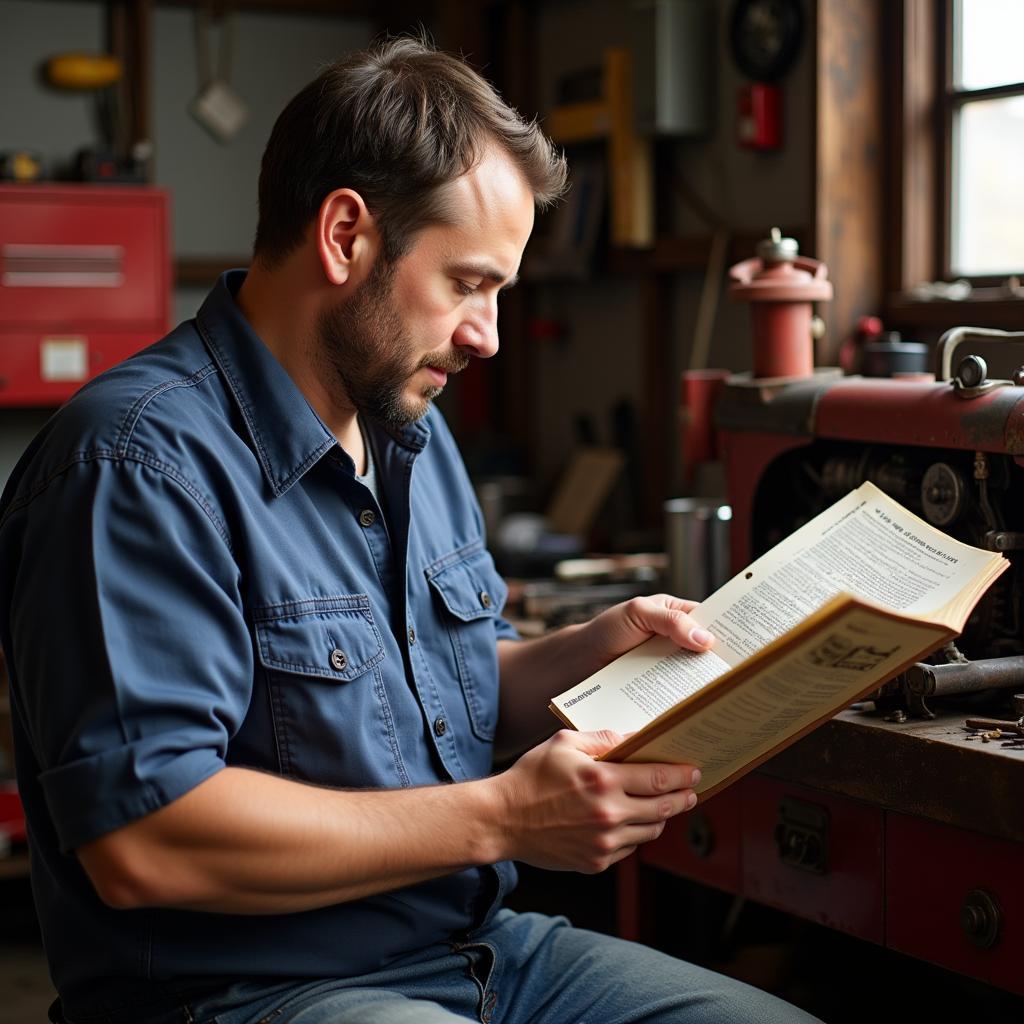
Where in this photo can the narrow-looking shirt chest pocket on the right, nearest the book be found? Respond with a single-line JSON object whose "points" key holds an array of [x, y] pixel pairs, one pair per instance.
{"points": [[472, 595]]}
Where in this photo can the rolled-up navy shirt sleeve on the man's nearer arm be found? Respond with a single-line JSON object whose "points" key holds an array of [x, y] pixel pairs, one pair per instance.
{"points": [[132, 660]]}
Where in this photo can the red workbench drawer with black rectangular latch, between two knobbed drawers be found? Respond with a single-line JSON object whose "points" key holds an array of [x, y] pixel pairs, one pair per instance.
{"points": [[815, 856]]}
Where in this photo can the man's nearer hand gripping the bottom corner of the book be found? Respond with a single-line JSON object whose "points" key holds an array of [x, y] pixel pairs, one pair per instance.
{"points": [[561, 809]]}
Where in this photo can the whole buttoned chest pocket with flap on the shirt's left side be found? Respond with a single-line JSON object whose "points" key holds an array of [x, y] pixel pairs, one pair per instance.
{"points": [[332, 721]]}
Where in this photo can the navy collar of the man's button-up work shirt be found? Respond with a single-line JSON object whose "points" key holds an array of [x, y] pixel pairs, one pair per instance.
{"points": [[287, 434]]}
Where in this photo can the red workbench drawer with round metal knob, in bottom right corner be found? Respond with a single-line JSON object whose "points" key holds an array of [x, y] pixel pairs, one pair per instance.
{"points": [[955, 899]]}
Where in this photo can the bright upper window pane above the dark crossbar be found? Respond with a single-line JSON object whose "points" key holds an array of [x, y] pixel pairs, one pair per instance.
{"points": [[990, 47]]}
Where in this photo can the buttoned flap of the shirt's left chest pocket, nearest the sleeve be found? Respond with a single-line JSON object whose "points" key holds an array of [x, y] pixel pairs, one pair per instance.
{"points": [[329, 637]]}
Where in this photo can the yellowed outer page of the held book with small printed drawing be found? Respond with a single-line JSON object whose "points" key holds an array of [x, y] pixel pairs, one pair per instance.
{"points": [[779, 698]]}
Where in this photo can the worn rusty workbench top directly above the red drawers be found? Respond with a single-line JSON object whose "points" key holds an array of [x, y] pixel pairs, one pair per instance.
{"points": [[925, 769]]}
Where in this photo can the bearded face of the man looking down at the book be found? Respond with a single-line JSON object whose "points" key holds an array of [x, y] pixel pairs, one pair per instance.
{"points": [[391, 347]]}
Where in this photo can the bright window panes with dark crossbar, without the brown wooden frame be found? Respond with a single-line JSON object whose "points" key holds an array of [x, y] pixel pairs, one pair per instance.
{"points": [[985, 122]]}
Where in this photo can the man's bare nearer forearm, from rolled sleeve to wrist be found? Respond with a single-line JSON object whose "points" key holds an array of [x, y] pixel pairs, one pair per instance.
{"points": [[246, 842]]}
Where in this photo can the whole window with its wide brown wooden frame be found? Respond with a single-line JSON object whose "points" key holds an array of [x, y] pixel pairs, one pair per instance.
{"points": [[955, 113]]}
